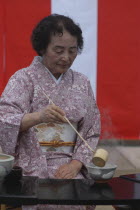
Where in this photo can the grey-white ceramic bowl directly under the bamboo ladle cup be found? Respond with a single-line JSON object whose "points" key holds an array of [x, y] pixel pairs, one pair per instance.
{"points": [[101, 173]]}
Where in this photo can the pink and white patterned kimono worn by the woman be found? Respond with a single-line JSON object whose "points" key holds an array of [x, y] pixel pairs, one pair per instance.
{"points": [[24, 94]]}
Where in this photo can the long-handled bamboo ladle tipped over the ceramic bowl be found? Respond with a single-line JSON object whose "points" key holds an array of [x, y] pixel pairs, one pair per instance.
{"points": [[100, 156]]}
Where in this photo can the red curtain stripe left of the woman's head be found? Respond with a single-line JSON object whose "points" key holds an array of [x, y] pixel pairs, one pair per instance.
{"points": [[20, 18]]}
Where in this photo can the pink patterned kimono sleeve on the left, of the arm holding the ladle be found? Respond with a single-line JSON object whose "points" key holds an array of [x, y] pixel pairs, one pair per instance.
{"points": [[14, 104]]}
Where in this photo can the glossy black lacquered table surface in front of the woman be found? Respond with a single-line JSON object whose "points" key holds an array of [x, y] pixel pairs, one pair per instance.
{"points": [[31, 191]]}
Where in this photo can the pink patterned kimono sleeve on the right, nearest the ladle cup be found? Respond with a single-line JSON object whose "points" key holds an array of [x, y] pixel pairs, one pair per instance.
{"points": [[89, 128]]}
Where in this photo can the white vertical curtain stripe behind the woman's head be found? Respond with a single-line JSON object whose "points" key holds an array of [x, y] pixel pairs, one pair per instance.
{"points": [[83, 12]]}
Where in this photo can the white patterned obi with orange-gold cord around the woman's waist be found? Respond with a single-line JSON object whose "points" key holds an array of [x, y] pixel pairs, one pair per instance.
{"points": [[53, 133]]}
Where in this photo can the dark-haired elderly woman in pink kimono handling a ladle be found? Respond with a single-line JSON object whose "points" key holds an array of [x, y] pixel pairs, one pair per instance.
{"points": [[38, 99]]}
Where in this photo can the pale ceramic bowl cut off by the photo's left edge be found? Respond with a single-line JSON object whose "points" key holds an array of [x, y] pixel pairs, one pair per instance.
{"points": [[6, 164]]}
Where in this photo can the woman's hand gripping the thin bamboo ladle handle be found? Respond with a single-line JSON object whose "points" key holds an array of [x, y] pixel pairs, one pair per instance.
{"points": [[52, 113]]}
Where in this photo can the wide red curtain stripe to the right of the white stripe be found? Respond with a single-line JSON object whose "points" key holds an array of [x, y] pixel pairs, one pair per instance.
{"points": [[118, 79]]}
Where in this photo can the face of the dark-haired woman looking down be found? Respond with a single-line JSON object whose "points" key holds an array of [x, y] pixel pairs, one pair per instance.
{"points": [[60, 53]]}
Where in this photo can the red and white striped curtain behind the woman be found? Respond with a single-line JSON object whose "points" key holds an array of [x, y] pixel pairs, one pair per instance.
{"points": [[110, 57]]}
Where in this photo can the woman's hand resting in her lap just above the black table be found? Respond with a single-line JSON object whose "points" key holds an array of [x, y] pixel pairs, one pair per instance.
{"points": [[69, 171]]}
